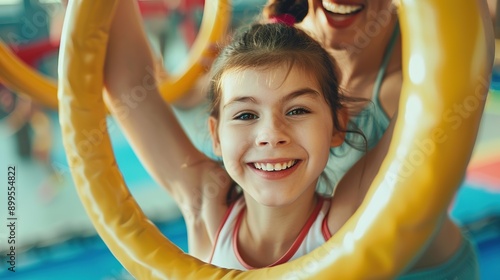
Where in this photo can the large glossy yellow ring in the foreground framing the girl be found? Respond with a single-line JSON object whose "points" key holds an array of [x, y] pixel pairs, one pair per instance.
{"points": [[445, 63]]}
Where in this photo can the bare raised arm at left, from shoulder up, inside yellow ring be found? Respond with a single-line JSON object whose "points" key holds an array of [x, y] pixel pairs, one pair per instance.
{"points": [[155, 134]]}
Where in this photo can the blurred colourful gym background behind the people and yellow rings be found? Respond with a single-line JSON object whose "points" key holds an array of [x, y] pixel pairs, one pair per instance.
{"points": [[54, 237]]}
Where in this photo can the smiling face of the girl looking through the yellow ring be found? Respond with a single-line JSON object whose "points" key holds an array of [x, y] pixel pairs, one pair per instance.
{"points": [[274, 132]]}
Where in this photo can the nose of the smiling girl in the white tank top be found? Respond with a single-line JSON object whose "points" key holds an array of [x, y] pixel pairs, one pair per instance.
{"points": [[272, 133]]}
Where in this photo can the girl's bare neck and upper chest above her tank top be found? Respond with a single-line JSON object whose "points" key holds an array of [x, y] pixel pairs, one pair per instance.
{"points": [[266, 233]]}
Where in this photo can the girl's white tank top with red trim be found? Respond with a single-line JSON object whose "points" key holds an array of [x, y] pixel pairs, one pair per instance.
{"points": [[313, 234]]}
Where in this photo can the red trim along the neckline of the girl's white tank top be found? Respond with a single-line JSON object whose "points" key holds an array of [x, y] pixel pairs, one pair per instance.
{"points": [[292, 250]]}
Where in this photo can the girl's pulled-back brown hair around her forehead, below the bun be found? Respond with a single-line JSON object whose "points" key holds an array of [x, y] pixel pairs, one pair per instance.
{"points": [[271, 45]]}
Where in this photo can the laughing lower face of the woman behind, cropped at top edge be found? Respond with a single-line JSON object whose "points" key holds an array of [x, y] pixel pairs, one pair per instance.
{"points": [[348, 24]]}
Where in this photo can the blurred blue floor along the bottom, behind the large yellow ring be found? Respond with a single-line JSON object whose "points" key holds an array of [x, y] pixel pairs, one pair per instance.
{"points": [[88, 257]]}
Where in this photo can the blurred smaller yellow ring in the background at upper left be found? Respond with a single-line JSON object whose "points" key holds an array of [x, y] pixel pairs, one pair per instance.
{"points": [[21, 78]]}
